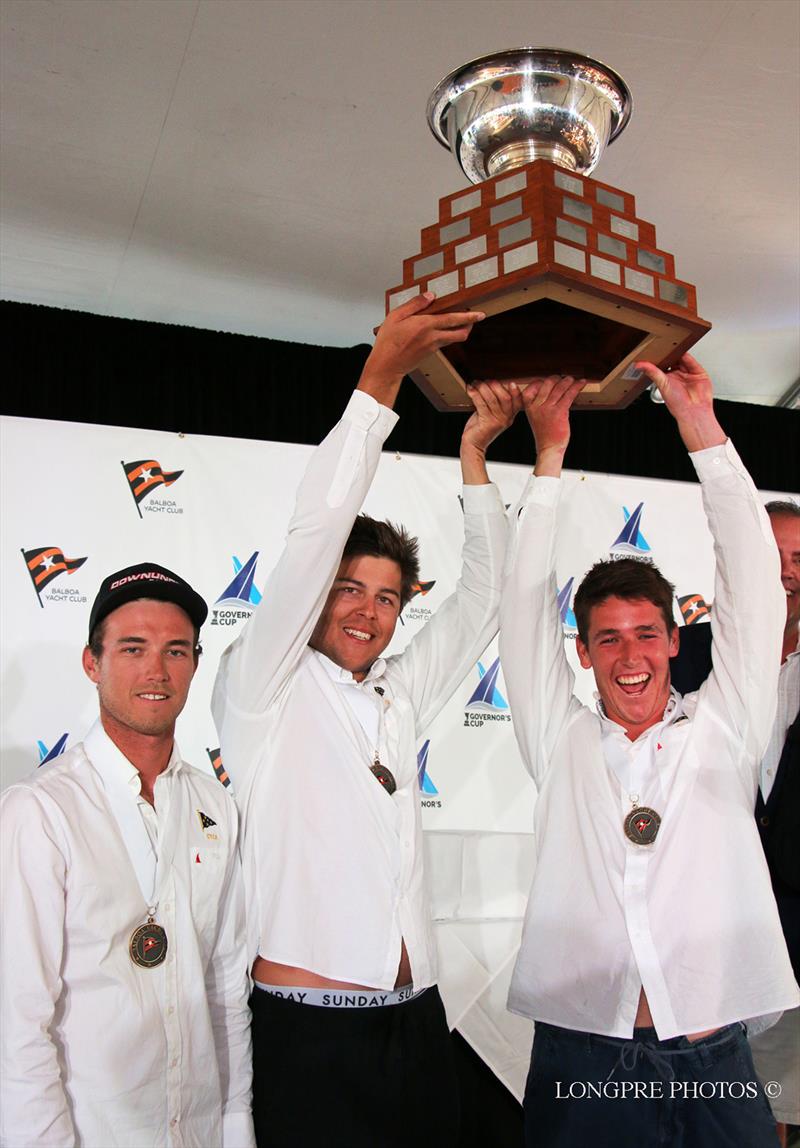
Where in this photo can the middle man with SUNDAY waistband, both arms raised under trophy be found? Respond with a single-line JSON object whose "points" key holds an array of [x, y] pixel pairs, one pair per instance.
{"points": [[320, 735]]}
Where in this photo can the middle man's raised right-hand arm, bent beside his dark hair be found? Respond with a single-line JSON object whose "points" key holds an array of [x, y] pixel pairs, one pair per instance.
{"points": [[446, 650]]}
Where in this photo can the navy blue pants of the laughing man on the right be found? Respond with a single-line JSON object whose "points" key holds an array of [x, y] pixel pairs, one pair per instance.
{"points": [[644, 1093]]}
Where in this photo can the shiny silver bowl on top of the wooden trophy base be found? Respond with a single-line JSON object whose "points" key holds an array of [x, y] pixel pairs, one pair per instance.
{"points": [[510, 108]]}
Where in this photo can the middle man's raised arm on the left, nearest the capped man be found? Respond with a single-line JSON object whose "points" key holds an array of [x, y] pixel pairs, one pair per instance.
{"points": [[329, 498]]}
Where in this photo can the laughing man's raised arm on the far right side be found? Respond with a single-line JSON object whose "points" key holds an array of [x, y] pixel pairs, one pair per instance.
{"points": [[750, 606]]}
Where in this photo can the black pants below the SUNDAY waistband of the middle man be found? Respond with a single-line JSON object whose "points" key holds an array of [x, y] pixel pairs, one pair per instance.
{"points": [[353, 1079]]}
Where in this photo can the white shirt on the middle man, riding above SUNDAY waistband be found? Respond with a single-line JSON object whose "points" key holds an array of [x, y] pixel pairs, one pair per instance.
{"points": [[333, 865]]}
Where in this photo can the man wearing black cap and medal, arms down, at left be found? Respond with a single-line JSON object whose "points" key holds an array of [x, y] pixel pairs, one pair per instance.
{"points": [[125, 991]]}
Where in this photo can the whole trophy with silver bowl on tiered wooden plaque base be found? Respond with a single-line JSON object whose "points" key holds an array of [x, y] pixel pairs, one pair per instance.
{"points": [[572, 282]]}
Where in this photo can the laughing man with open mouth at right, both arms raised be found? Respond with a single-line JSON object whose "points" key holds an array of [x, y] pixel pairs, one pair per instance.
{"points": [[651, 930]]}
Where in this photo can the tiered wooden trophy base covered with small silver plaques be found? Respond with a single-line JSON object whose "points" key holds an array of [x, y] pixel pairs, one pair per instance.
{"points": [[571, 281]]}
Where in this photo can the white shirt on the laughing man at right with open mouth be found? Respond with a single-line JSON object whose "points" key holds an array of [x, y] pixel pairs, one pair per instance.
{"points": [[692, 918]]}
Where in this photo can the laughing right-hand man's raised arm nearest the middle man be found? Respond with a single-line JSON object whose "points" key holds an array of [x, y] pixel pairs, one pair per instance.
{"points": [[538, 677]]}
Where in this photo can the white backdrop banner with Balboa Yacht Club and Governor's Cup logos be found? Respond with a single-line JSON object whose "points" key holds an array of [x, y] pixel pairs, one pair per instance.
{"points": [[81, 502]]}
